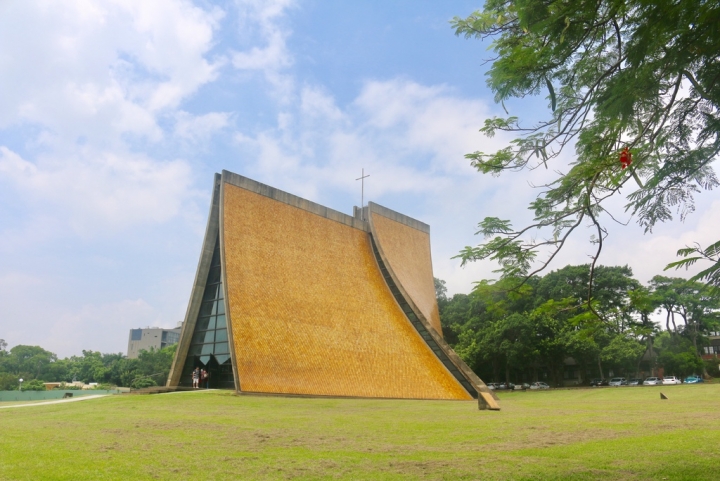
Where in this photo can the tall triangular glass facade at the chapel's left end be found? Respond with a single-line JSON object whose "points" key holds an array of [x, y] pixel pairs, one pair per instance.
{"points": [[209, 346]]}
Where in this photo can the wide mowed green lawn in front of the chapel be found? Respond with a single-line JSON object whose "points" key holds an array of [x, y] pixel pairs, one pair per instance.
{"points": [[602, 433]]}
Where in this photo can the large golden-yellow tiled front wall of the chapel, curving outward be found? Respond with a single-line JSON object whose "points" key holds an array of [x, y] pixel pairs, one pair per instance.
{"points": [[311, 313]]}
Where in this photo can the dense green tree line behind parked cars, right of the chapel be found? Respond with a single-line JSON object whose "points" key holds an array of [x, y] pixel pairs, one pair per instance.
{"points": [[531, 333]]}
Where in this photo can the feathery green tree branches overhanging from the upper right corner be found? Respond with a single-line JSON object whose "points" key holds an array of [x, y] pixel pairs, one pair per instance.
{"points": [[617, 73]]}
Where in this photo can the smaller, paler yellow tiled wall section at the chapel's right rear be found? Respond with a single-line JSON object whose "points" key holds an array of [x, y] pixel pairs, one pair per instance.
{"points": [[407, 250]]}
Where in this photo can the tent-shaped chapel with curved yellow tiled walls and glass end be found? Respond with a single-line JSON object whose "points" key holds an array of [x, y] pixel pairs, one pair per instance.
{"points": [[291, 297]]}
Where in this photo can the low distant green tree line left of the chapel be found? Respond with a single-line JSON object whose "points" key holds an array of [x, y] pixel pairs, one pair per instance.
{"points": [[36, 365]]}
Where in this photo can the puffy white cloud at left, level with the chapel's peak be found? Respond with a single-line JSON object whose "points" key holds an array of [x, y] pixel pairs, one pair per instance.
{"points": [[94, 192]]}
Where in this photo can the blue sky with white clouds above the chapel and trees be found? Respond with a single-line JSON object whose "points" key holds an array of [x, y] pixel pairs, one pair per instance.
{"points": [[115, 114]]}
